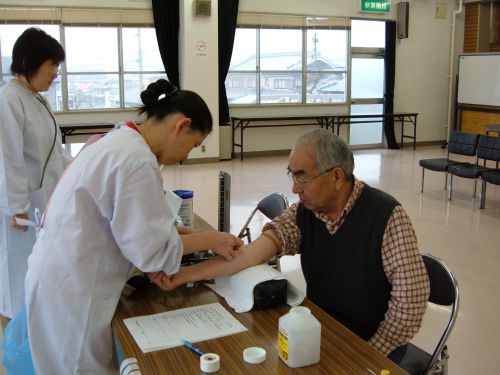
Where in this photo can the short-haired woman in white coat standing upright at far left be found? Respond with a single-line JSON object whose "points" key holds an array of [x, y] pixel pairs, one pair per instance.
{"points": [[31, 156]]}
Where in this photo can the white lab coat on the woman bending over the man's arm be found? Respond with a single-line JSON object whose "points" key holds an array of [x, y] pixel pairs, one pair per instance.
{"points": [[107, 213]]}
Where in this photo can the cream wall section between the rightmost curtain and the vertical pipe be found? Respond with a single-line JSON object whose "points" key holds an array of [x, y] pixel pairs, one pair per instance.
{"points": [[422, 70]]}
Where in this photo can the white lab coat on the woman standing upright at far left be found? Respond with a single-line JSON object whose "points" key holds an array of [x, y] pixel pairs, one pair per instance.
{"points": [[26, 136]]}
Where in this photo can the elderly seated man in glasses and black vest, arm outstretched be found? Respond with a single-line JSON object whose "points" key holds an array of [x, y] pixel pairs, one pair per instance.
{"points": [[357, 245]]}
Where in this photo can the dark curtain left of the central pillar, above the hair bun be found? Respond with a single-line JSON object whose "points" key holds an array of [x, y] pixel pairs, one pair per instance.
{"points": [[166, 17]]}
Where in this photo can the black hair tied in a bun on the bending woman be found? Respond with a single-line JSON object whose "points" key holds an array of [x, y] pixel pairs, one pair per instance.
{"points": [[162, 98]]}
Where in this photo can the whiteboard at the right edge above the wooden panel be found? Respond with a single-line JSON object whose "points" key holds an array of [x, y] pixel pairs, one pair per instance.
{"points": [[479, 79]]}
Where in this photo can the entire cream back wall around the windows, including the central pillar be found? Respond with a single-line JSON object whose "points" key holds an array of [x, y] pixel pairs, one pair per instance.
{"points": [[422, 65]]}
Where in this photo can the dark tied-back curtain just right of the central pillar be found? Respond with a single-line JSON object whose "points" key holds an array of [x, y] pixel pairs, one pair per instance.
{"points": [[228, 13]]}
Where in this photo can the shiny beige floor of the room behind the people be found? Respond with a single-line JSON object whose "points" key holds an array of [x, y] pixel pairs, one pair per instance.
{"points": [[466, 237]]}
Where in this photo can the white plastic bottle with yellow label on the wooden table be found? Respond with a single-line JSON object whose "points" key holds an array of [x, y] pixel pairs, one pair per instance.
{"points": [[299, 337]]}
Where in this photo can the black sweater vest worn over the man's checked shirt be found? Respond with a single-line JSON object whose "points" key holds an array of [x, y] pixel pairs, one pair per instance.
{"points": [[344, 272]]}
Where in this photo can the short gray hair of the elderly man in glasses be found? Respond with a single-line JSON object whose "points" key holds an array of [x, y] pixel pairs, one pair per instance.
{"points": [[329, 150]]}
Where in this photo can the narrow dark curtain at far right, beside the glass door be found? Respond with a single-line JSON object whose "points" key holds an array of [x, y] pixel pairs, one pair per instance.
{"points": [[390, 72]]}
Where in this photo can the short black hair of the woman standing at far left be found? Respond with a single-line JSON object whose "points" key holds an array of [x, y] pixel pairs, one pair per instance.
{"points": [[33, 47]]}
